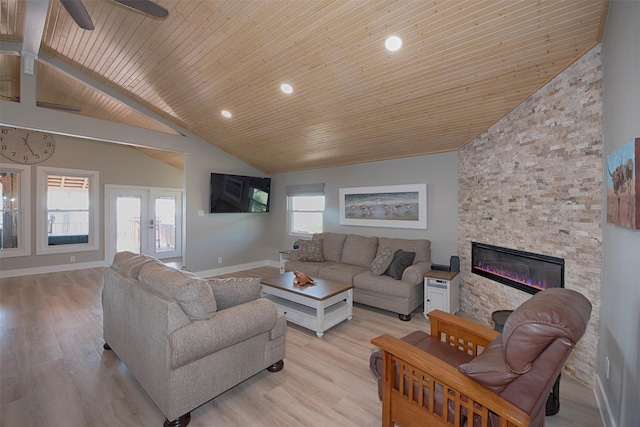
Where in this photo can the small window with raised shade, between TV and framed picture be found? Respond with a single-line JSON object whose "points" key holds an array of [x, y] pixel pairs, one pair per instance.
{"points": [[305, 207]]}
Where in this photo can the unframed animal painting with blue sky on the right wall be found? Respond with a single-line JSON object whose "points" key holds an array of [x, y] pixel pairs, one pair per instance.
{"points": [[623, 183]]}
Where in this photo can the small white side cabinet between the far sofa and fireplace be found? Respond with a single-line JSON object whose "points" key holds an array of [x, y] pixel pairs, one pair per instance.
{"points": [[441, 291]]}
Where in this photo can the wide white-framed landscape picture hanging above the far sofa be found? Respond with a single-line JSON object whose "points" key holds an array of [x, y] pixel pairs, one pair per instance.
{"points": [[399, 206]]}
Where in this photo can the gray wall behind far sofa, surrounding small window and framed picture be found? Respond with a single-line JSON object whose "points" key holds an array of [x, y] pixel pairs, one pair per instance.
{"points": [[438, 171]]}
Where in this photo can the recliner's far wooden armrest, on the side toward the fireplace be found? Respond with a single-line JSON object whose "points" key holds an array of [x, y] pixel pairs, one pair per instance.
{"points": [[463, 333]]}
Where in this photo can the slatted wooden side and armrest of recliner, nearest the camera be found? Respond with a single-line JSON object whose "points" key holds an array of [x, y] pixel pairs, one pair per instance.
{"points": [[429, 391]]}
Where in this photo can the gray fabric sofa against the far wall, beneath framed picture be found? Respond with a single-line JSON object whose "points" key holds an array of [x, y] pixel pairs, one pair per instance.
{"points": [[348, 258]]}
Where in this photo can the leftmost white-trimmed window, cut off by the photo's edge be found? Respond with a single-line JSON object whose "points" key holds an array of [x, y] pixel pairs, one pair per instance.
{"points": [[15, 217]]}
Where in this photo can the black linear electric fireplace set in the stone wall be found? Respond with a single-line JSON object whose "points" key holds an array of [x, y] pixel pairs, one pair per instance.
{"points": [[526, 271]]}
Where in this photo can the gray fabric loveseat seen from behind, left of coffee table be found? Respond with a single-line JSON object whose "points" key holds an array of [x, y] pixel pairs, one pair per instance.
{"points": [[186, 339]]}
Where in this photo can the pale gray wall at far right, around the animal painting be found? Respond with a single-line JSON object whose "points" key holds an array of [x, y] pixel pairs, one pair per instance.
{"points": [[619, 334]]}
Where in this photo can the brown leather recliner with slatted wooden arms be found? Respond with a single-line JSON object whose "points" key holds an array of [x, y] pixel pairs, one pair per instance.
{"points": [[481, 372]]}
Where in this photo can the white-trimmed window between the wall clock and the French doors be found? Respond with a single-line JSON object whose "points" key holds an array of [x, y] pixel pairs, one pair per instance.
{"points": [[67, 218]]}
